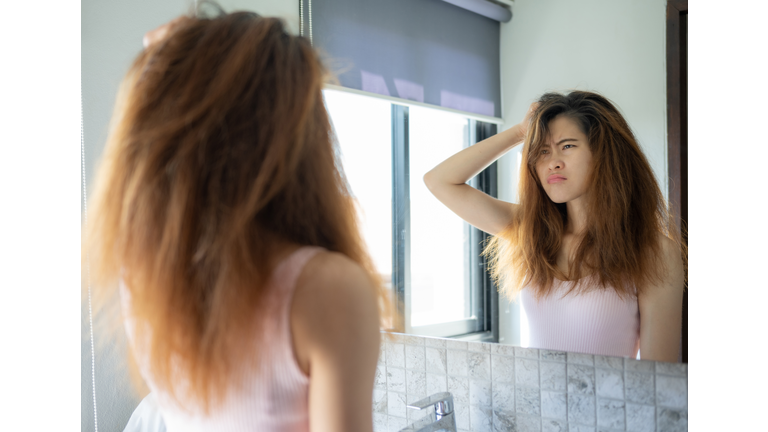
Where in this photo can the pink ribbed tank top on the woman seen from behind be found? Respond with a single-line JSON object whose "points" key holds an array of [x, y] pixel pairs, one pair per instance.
{"points": [[273, 398]]}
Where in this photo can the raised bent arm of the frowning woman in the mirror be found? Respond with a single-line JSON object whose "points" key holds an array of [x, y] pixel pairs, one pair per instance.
{"points": [[447, 181]]}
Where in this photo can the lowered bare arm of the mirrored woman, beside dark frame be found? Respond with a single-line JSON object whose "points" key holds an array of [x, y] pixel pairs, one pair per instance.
{"points": [[661, 309]]}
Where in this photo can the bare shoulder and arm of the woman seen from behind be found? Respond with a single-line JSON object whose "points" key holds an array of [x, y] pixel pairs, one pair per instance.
{"points": [[335, 327]]}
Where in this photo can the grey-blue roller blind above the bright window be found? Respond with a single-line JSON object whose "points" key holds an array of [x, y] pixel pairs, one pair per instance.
{"points": [[427, 51]]}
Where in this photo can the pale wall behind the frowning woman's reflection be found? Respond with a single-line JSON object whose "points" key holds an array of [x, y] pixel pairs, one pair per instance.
{"points": [[615, 47]]}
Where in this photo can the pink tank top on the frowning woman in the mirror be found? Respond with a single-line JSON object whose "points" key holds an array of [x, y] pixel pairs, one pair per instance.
{"points": [[597, 322]]}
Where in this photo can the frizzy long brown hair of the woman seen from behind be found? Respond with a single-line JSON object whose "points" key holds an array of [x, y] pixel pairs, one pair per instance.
{"points": [[220, 149]]}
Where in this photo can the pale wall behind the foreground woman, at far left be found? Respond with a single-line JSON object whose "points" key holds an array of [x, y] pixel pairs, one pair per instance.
{"points": [[111, 37]]}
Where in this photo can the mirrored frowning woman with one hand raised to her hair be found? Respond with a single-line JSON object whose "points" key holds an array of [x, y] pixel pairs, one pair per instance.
{"points": [[589, 247]]}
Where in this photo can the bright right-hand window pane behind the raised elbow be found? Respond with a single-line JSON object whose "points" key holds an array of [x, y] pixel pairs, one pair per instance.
{"points": [[440, 284]]}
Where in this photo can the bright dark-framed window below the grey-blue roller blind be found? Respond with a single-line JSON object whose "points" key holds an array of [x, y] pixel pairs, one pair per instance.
{"points": [[428, 255]]}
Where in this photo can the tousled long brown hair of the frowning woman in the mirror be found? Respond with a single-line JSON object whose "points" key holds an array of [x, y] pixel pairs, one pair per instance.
{"points": [[627, 214]]}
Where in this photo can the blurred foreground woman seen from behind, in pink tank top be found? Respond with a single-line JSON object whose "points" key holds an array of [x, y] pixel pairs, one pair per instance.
{"points": [[249, 299]]}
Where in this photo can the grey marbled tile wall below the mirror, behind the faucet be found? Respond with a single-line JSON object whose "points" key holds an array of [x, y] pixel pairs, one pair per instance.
{"points": [[503, 388]]}
